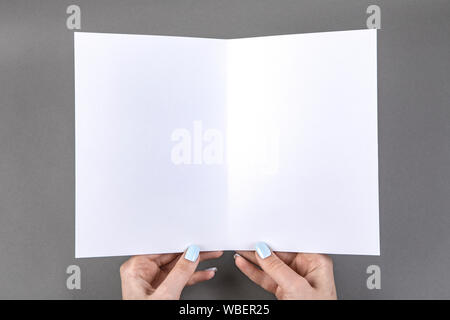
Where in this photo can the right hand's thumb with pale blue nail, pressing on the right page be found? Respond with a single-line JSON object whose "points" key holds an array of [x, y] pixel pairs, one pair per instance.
{"points": [[280, 272]]}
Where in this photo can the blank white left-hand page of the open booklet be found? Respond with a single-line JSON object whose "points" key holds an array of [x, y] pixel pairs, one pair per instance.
{"points": [[131, 93]]}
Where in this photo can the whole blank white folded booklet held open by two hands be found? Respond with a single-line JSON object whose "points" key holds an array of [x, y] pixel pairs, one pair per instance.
{"points": [[225, 143]]}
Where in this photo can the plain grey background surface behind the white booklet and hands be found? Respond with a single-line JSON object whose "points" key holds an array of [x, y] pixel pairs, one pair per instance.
{"points": [[37, 138]]}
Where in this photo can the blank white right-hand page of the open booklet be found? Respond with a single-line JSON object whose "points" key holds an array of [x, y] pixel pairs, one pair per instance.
{"points": [[302, 142]]}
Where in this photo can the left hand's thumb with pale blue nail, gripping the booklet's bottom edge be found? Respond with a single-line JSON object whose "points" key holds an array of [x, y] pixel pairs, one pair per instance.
{"points": [[178, 277]]}
